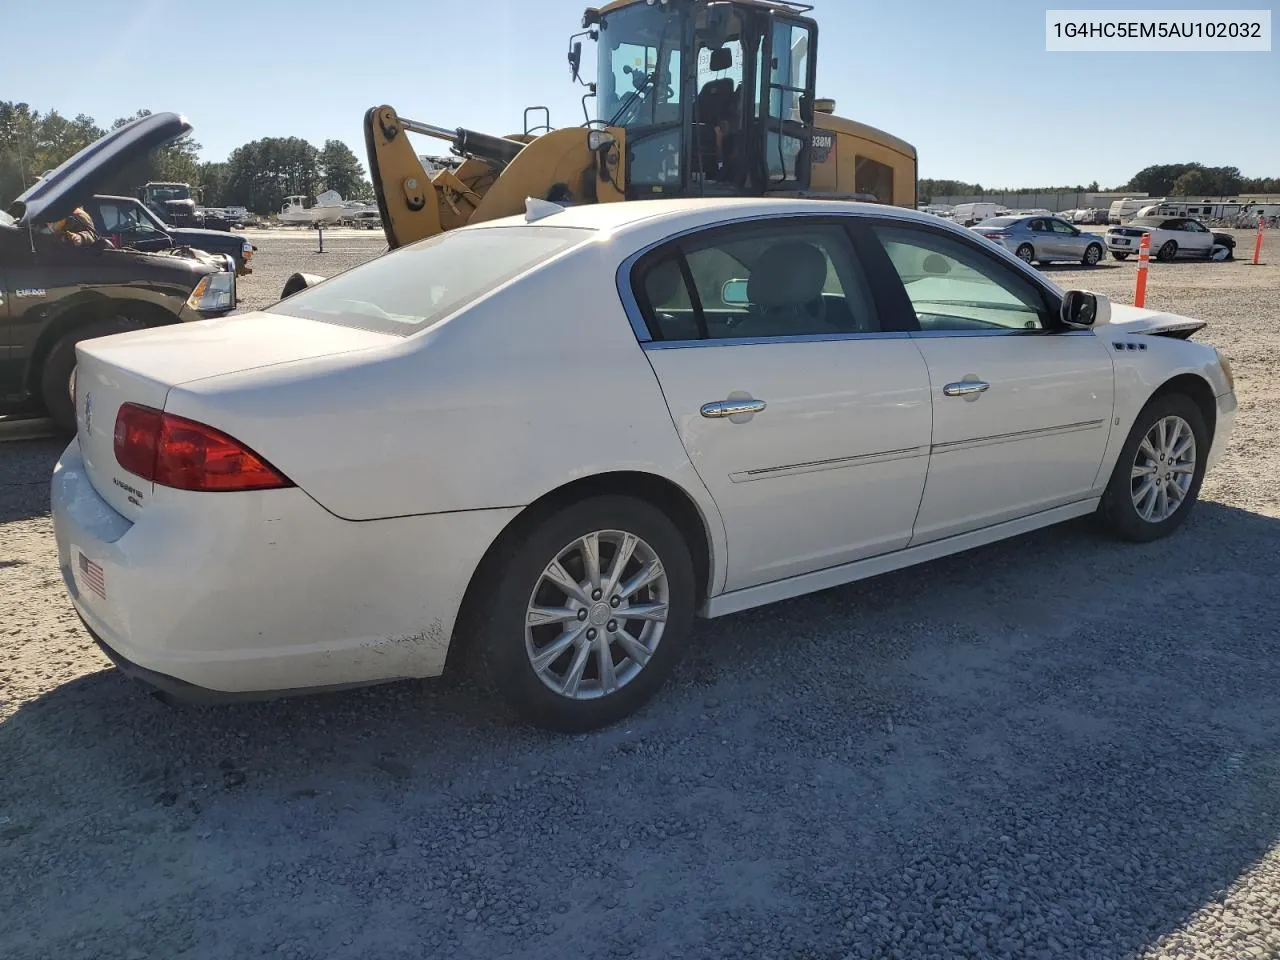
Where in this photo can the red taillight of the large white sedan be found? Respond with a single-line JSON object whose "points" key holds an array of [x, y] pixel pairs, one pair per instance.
{"points": [[182, 454]]}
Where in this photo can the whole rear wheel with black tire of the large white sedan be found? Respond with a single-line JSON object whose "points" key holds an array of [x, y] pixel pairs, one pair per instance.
{"points": [[524, 652]]}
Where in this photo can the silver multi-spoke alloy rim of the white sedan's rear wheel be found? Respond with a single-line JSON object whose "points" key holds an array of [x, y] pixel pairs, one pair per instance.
{"points": [[597, 615]]}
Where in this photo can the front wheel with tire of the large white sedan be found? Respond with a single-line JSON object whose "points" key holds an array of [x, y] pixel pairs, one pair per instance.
{"points": [[1128, 509]]}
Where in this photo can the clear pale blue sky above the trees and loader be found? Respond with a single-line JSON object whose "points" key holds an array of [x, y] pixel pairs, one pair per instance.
{"points": [[967, 81]]}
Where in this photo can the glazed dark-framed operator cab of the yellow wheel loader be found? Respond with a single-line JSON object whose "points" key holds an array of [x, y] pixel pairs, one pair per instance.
{"points": [[716, 98]]}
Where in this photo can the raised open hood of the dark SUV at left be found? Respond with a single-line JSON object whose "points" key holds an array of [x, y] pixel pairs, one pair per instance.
{"points": [[83, 176]]}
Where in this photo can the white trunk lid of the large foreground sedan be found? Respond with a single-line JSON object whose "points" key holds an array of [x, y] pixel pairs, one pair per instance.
{"points": [[144, 365]]}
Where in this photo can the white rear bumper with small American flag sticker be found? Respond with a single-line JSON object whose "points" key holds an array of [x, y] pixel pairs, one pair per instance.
{"points": [[263, 593]]}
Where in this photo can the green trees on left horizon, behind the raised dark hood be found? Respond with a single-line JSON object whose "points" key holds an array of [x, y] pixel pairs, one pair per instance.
{"points": [[258, 176]]}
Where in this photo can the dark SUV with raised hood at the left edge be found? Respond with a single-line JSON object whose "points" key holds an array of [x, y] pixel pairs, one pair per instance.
{"points": [[54, 295]]}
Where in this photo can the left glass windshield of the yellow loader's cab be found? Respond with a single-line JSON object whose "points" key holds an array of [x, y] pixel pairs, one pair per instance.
{"points": [[638, 57]]}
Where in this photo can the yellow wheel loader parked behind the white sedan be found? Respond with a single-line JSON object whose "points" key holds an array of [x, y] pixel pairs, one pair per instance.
{"points": [[694, 98]]}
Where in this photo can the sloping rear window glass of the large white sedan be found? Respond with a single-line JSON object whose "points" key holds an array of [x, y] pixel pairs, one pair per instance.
{"points": [[414, 287]]}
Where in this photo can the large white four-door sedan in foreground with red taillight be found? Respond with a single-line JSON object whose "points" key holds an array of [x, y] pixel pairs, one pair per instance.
{"points": [[554, 441]]}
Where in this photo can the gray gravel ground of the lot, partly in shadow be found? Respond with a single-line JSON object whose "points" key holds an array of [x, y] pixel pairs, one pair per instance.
{"points": [[1059, 747]]}
